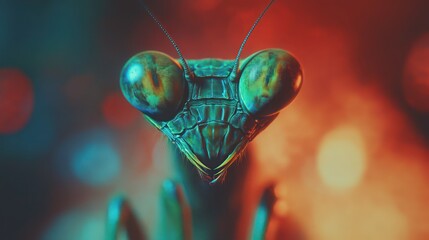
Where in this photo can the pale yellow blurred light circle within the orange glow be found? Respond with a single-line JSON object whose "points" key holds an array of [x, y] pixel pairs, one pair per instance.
{"points": [[341, 159]]}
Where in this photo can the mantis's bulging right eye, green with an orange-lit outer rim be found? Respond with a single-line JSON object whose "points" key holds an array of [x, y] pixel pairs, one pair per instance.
{"points": [[269, 81]]}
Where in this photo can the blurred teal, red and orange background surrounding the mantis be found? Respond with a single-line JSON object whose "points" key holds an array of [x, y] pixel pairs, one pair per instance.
{"points": [[350, 154]]}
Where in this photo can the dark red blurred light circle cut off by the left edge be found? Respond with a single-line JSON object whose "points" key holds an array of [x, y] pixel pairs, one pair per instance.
{"points": [[16, 100]]}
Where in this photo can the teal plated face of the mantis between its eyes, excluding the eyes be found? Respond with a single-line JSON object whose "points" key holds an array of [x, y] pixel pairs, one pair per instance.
{"points": [[212, 129]]}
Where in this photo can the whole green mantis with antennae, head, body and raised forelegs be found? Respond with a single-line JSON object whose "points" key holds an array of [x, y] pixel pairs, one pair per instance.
{"points": [[210, 109]]}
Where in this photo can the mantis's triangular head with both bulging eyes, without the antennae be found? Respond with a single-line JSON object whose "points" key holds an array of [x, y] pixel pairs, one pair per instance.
{"points": [[212, 114]]}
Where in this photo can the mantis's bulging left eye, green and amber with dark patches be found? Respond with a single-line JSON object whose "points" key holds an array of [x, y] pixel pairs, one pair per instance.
{"points": [[153, 82]]}
